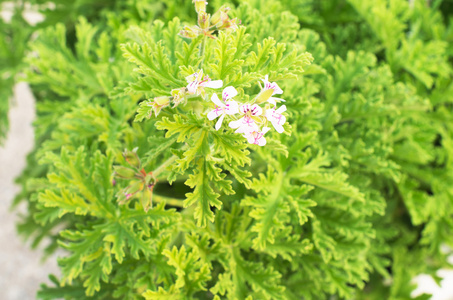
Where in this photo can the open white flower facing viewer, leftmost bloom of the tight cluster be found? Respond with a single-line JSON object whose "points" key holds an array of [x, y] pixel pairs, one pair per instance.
{"points": [[225, 107]]}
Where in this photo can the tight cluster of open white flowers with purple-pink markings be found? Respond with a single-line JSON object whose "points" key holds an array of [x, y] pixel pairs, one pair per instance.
{"points": [[250, 119]]}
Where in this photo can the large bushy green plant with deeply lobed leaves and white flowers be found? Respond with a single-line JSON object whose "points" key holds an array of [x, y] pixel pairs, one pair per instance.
{"points": [[216, 159]]}
